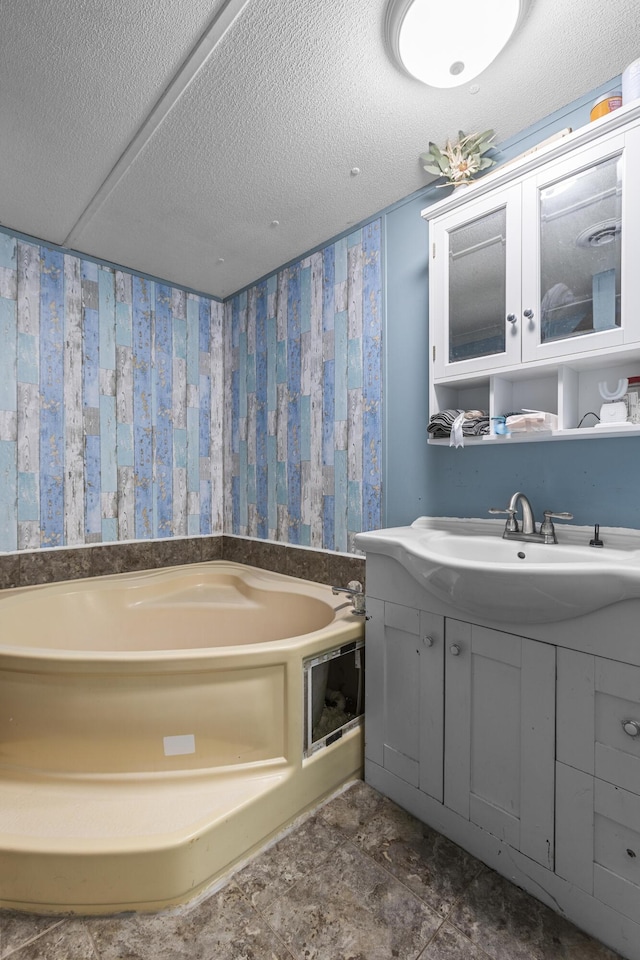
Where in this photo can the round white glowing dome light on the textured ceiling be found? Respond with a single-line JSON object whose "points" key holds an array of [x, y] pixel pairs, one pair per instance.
{"points": [[447, 45]]}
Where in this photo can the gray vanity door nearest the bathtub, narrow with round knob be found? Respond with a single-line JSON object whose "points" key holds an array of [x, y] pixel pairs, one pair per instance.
{"points": [[405, 693]]}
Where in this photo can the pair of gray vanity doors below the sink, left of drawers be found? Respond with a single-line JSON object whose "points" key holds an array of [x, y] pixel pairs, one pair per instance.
{"points": [[466, 715]]}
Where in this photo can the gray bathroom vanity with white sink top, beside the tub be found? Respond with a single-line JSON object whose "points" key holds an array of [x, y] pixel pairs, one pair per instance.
{"points": [[517, 738]]}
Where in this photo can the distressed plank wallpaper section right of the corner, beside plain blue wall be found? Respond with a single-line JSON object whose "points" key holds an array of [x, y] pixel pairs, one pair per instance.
{"points": [[303, 428]]}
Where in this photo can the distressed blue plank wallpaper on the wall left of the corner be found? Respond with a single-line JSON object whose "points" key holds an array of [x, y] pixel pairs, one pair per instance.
{"points": [[111, 393]]}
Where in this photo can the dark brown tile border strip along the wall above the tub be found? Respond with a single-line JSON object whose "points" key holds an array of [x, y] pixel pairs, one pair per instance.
{"points": [[28, 568]]}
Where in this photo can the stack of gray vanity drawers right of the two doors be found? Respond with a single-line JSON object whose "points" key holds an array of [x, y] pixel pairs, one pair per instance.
{"points": [[598, 778]]}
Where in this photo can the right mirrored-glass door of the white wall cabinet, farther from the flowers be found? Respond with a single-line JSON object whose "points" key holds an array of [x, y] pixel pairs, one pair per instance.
{"points": [[578, 277]]}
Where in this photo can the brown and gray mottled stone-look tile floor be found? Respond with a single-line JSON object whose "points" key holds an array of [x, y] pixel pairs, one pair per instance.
{"points": [[359, 879]]}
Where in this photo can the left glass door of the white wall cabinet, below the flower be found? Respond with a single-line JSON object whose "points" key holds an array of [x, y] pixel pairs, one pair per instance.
{"points": [[478, 256]]}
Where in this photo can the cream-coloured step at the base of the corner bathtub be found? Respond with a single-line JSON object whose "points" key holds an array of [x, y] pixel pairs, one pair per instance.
{"points": [[103, 844]]}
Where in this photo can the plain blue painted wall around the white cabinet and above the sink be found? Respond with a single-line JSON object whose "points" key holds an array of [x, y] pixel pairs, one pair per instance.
{"points": [[597, 480]]}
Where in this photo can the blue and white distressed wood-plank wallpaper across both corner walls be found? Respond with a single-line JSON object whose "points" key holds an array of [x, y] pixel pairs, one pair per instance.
{"points": [[131, 409]]}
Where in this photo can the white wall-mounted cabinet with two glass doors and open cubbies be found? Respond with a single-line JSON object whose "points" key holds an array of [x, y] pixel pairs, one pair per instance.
{"points": [[534, 296]]}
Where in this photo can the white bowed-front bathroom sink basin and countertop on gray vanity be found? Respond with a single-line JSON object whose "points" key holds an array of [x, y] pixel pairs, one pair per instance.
{"points": [[468, 565]]}
